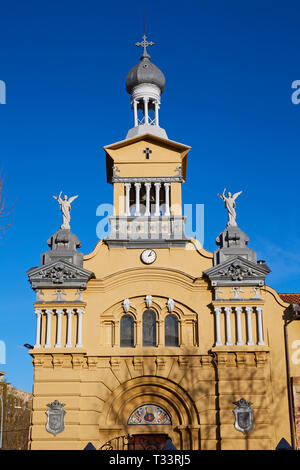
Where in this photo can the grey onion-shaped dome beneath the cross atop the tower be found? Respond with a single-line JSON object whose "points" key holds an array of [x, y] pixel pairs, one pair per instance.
{"points": [[145, 72]]}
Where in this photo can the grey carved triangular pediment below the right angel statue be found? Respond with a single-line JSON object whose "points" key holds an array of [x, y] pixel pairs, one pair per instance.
{"points": [[237, 271]]}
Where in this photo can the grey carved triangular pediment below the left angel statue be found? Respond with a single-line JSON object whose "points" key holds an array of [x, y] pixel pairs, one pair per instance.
{"points": [[59, 273]]}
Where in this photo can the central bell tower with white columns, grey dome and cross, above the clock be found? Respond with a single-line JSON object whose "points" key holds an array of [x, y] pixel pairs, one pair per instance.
{"points": [[146, 169]]}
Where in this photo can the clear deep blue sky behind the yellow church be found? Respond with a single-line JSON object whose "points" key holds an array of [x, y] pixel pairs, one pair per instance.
{"points": [[229, 67]]}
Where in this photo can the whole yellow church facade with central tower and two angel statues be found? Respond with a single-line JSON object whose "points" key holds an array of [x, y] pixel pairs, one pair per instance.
{"points": [[150, 337]]}
